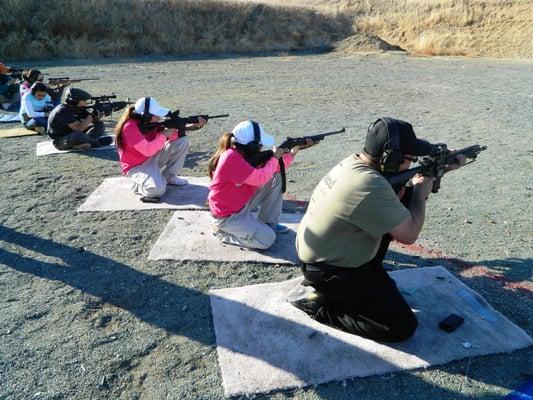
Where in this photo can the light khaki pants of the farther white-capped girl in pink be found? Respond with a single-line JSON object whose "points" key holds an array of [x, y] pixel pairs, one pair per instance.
{"points": [[150, 178]]}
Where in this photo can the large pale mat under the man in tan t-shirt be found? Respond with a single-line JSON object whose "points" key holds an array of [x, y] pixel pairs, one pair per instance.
{"points": [[266, 344]]}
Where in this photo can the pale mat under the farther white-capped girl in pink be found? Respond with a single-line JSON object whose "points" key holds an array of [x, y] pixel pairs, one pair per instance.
{"points": [[115, 194]]}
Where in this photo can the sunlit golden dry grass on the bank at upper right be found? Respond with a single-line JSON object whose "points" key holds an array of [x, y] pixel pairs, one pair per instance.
{"points": [[480, 28]]}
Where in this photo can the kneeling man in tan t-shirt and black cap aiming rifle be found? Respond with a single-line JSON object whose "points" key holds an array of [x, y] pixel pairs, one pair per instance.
{"points": [[352, 216]]}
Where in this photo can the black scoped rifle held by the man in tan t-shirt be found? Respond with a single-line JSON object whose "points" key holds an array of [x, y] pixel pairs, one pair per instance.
{"points": [[435, 165]]}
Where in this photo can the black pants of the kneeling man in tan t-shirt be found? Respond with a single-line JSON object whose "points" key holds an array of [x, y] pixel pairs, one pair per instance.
{"points": [[364, 300]]}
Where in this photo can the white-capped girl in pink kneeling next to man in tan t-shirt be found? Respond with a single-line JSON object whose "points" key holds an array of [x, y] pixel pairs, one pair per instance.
{"points": [[238, 188]]}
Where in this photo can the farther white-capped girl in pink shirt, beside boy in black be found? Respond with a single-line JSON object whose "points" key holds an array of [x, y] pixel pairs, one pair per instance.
{"points": [[151, 160]]}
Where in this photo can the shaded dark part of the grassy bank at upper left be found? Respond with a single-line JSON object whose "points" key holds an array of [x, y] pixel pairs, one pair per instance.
{"points": [[37, 29]]}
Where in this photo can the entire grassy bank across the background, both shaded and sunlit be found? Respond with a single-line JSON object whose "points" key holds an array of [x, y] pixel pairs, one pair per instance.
{"points": [[36, 29]]}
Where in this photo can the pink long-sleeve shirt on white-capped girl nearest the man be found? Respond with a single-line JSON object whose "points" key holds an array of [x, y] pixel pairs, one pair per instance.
{"points": [[235, 181]]}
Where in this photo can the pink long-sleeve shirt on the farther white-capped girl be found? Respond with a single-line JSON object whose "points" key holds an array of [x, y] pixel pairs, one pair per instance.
{"points": [[138, 147]]}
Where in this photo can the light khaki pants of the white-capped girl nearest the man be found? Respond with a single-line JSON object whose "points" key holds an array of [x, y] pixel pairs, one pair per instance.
{"points": [[244, 229]]}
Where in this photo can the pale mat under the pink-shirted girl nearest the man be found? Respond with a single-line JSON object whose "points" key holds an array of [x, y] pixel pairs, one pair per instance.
{"points": [[189, 236]]}
